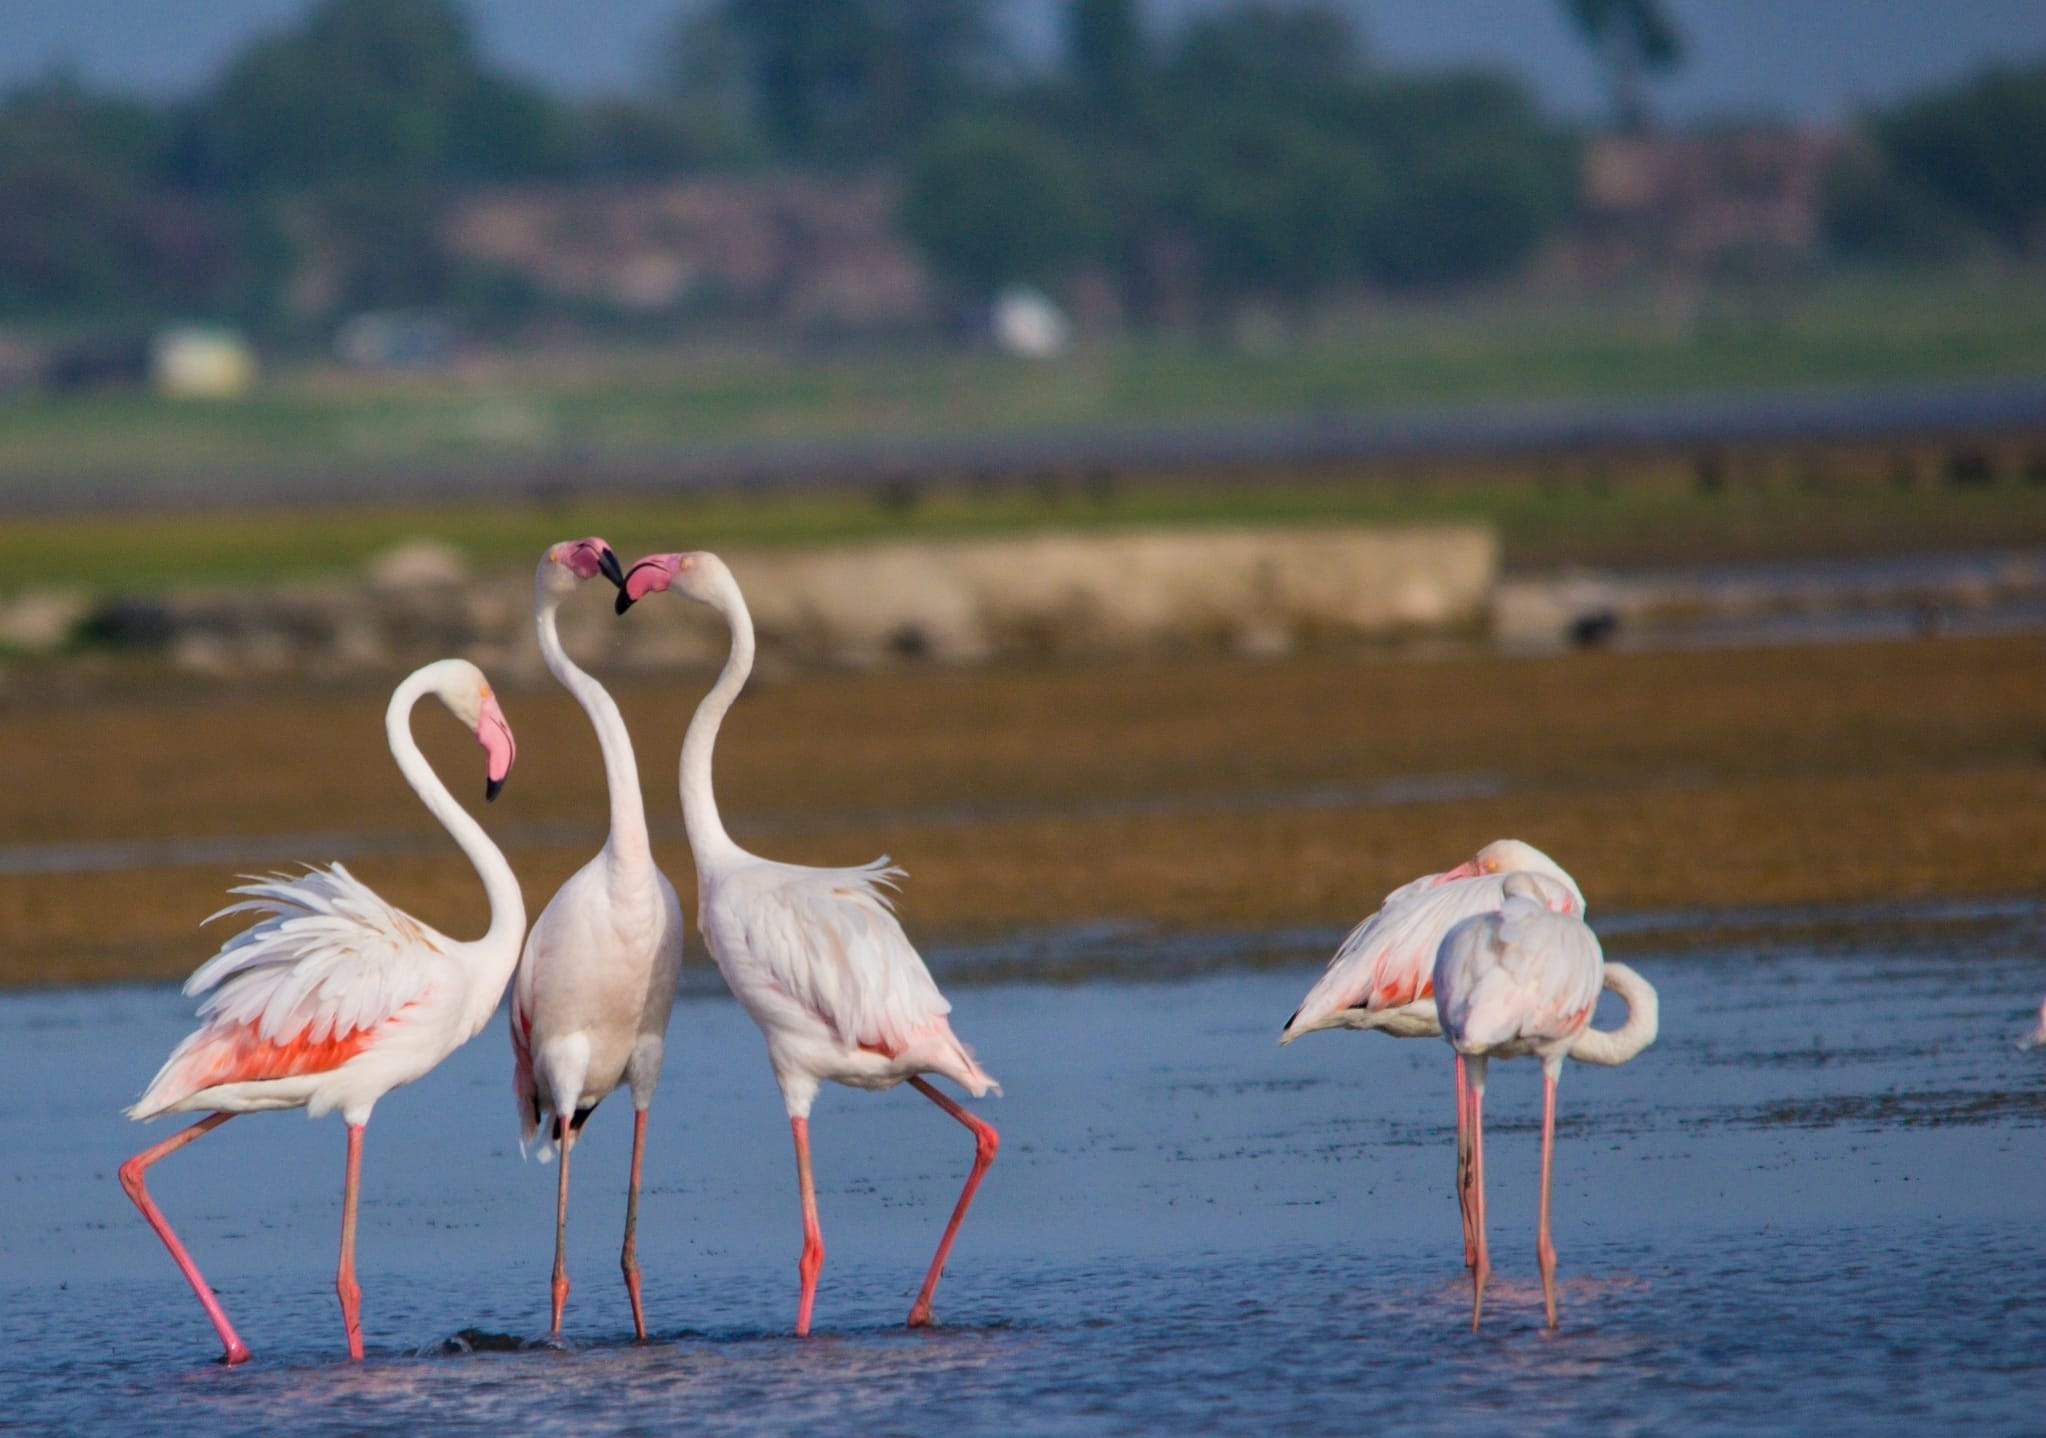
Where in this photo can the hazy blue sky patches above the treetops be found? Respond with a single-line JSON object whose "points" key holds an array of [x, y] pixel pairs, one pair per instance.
{"points": [[1787, 58]]}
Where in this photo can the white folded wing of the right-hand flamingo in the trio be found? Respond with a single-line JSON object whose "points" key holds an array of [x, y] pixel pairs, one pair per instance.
{"points": [[830, 940]]}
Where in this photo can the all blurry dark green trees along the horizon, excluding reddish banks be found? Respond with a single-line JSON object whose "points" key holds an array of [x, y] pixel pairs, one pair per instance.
{"points": [[1251, 154]]}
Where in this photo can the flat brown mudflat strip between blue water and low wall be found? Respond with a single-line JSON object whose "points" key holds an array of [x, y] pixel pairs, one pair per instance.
{"points": [[1196, 793]]}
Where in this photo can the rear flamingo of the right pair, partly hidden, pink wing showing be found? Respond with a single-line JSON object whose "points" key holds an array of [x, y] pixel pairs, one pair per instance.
{"points": [[1382, 975]]}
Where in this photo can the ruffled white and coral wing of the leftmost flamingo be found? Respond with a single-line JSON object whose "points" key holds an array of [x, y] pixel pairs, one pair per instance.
{"points": [[300, 991]]}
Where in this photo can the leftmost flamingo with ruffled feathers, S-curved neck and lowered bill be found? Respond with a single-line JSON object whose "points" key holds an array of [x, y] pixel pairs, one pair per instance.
{"points": [[335, 997]]}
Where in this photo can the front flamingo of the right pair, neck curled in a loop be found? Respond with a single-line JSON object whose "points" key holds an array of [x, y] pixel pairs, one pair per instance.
{"points": [[1525, 981]]}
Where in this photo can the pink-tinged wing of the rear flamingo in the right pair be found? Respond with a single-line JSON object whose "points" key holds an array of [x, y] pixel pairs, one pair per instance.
{"points": [[1390, 958]]}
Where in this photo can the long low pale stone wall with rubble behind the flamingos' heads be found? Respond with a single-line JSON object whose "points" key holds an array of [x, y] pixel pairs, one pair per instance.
{"points": [[950, 600]]}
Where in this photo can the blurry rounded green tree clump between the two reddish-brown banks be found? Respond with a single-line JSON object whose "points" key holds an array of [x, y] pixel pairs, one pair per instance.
{"points": [[1255, 154]]}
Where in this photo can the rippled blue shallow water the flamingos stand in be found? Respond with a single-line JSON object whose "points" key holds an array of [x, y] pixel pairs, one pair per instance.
{"points": [[1814, 1206]]}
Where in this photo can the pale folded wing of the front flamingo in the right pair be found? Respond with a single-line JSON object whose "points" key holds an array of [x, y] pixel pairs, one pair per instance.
{"points": [[1517, 975]]}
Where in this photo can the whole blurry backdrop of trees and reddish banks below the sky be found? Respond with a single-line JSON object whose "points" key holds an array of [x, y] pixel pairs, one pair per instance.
{"points": [[881, 169]]}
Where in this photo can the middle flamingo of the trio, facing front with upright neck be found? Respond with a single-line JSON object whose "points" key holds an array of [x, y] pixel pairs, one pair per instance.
{"points": [[598, 975]]}
